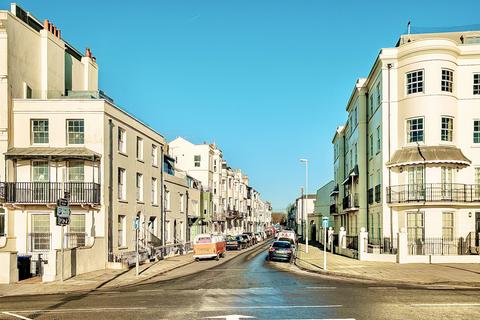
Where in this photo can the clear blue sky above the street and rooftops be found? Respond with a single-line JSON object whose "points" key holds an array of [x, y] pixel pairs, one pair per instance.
{"points": [[267, 80]]}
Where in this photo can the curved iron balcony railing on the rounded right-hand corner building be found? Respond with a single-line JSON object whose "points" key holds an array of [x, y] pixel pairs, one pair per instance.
{"points": [[434, 192]]}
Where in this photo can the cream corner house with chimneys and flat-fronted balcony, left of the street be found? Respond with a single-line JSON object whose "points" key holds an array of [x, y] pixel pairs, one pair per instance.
{"points": [[61, 135]]}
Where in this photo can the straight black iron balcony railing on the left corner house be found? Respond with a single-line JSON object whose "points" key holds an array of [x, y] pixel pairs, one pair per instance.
{"points": [[49, 192]]}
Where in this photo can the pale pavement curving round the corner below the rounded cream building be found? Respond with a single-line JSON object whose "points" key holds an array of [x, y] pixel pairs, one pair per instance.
{"points": [[459, 275]]}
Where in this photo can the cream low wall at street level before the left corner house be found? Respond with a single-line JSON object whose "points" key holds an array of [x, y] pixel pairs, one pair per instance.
{"points": [[76, 261]]}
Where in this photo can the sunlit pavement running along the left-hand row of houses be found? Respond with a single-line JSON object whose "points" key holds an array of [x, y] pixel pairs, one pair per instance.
{"points": [[110, 279]]}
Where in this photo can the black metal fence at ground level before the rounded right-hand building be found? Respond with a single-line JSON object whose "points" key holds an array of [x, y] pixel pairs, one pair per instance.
{"points": [[439, 246]]}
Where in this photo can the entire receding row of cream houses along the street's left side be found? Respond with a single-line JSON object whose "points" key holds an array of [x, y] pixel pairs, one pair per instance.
{"points": [[62, 136]]}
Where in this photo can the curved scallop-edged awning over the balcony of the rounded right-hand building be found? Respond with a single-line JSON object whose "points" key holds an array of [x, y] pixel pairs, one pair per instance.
{"points": [[428, 155]]}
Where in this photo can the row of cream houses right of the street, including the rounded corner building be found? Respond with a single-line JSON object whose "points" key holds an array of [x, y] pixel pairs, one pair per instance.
{"points": [[408, 157]]}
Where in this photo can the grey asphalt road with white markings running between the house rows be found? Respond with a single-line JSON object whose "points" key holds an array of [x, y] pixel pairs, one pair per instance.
{"points": [[248, 285]]}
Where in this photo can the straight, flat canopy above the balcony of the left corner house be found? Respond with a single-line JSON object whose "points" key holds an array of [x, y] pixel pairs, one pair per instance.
{"points": [[80, 153]]}
